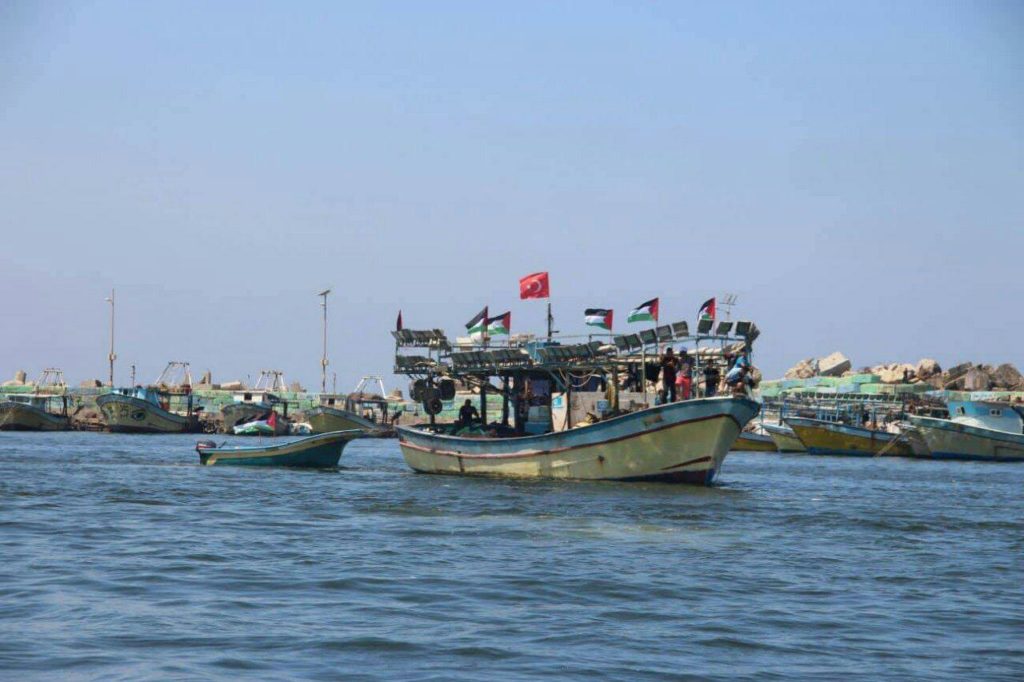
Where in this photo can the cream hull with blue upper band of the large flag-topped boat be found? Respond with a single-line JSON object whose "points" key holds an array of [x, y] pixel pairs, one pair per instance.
{"points": [[684, 443]]}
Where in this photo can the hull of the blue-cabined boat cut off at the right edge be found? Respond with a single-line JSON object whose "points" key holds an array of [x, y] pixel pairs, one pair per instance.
{"points": [[949, 441]]}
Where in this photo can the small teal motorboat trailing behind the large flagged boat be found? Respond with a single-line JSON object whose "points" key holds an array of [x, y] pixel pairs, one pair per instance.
{"points": [[317, 452]]}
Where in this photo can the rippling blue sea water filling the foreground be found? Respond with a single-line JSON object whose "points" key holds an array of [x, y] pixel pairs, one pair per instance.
{"points": [[121, 559]]}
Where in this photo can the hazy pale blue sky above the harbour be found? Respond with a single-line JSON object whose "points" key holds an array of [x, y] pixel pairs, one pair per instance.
{"points": [[855, 173]]}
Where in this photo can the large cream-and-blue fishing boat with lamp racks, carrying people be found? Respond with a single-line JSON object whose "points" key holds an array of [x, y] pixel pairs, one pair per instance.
{"points": [[685, 442]]}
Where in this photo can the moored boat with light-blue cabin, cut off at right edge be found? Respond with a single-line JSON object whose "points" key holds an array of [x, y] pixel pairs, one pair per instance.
{"points": [[976, 431]]}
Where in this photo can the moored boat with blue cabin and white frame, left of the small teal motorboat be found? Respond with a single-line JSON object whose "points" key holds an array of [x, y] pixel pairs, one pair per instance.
{"points": [[149, 409]]}
